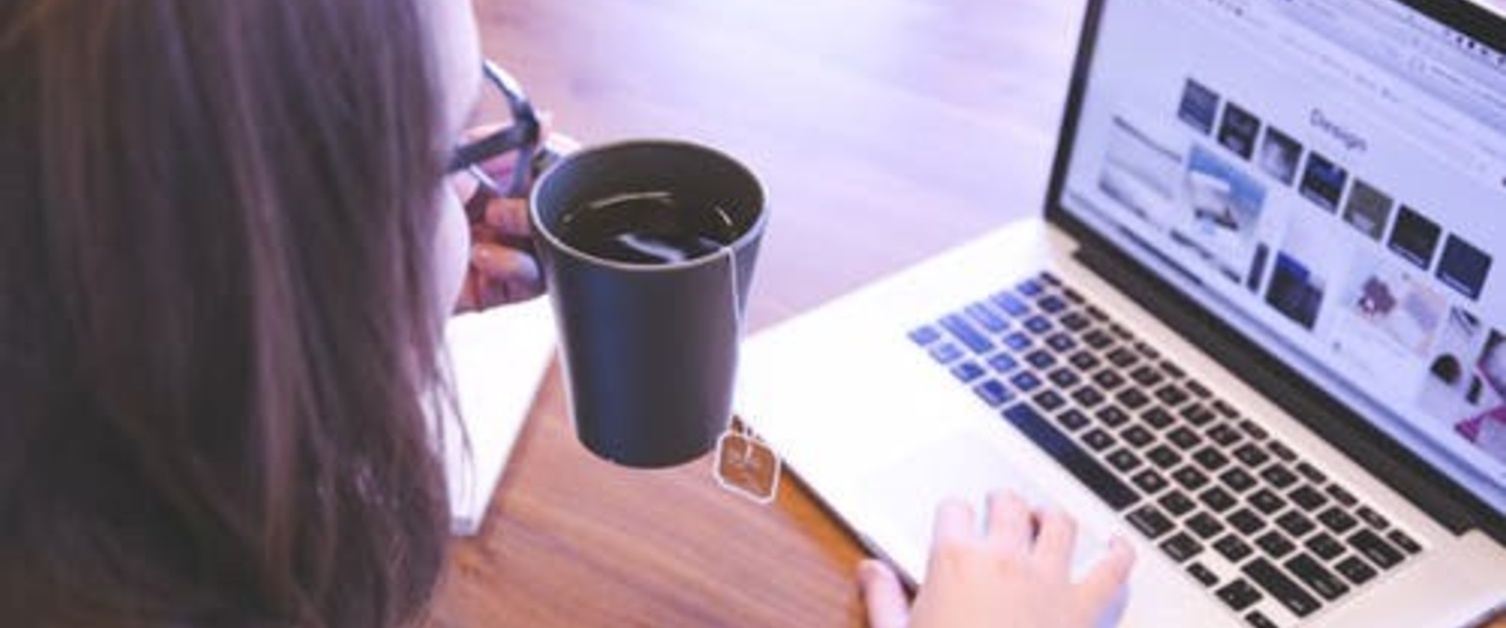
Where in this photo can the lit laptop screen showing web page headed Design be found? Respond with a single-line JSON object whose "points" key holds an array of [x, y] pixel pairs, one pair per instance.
{"points": [[1329, 177]]}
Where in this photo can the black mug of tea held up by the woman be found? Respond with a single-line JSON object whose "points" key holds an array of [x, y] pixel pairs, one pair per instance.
{"points": [[648, 251]]}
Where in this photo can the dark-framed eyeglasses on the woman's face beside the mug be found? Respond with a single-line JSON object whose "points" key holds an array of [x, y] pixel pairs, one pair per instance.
{"points": [[522, 136]]}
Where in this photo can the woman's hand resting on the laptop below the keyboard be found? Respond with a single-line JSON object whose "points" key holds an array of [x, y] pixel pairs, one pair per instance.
{"points": [[1016, 573]]}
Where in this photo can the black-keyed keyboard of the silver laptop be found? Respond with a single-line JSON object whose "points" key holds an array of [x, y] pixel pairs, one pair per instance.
{"points": [[1275, 538]]}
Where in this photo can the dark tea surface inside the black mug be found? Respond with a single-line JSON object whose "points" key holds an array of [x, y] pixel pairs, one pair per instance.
{"points": [[647, 228]]}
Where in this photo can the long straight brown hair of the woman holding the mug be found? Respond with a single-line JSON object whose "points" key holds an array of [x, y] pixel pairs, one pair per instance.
{"points": [[218, 326]]}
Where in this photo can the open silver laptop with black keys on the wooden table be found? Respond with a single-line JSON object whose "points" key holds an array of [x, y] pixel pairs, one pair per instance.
{"points": [[1260, 328]]}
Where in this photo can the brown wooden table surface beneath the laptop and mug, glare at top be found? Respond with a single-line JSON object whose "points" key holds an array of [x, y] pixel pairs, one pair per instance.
{"points": [[883, 130]]}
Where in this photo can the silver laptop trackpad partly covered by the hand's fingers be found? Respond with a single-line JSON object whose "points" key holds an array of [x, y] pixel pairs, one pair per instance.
{"points": [[906, 499]]}
